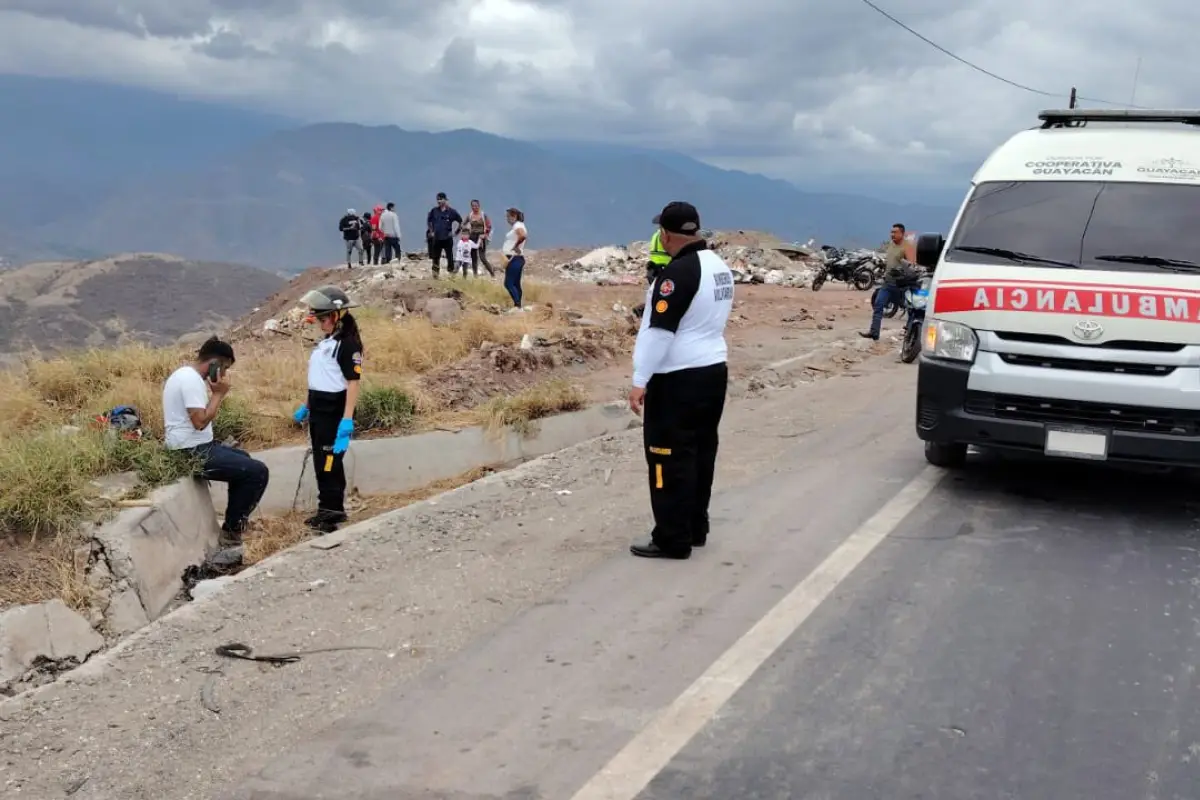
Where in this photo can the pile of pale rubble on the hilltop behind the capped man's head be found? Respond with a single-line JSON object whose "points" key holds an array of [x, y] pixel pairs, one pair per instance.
{"points": [[788, 266]]}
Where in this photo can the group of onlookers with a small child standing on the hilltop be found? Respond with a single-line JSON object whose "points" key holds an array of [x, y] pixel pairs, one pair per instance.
{"points": [[375, 237]]}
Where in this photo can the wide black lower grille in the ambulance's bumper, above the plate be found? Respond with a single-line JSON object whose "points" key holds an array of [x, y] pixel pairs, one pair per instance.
{"points": [[1121, 418]]}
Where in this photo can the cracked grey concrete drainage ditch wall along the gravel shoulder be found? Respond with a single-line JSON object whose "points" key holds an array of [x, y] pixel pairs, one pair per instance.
{"points": [[136, 563]]}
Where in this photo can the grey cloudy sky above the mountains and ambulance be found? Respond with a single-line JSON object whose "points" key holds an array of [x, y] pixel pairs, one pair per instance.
{"points": [[811, 88]]}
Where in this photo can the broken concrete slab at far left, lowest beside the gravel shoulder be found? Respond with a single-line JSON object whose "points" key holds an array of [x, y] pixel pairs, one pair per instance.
{"points": [[45, 636]]}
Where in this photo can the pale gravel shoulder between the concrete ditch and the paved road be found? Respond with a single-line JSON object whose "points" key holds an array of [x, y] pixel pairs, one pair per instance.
{"points": [[164, 718]]}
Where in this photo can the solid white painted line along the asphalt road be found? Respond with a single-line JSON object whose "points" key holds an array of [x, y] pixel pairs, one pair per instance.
{"points": [[652, 750]]}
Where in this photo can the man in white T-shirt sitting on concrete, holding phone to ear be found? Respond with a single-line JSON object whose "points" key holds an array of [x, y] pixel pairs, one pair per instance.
{"points": [[191, 399]]}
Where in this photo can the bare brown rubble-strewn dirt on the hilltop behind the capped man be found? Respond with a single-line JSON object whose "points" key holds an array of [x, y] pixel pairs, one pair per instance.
{"points": [[775, 314]]}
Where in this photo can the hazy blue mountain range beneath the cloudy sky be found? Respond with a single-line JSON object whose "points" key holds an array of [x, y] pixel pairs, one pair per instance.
{"points": [[89, 170]]}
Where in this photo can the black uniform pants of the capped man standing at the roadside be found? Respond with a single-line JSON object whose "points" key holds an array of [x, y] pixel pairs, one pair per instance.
{"points": [[682, 416]]}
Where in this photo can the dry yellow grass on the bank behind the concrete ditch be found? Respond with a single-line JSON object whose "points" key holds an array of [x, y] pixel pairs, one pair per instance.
{"points": [[46, 468]]}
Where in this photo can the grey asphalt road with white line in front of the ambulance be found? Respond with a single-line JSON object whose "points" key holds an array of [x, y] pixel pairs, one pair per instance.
{"points": [[861, 627]]}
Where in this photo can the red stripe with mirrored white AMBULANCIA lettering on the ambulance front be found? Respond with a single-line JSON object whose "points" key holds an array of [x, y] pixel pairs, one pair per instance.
{"points": [[1060, 300]]}
